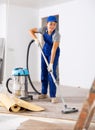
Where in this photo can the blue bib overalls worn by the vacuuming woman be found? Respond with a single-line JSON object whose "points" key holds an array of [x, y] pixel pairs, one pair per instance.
{"points": [[45, 75]]}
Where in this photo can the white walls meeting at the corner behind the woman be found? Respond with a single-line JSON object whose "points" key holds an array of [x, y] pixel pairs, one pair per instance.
{"points": [[76, 25]]}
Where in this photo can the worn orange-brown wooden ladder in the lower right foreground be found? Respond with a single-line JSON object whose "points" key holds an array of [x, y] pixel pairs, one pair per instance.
{"points": [[87, 111]]}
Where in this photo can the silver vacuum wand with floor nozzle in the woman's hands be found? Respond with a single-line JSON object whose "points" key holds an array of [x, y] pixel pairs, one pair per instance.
{"points": [[66, 109]]}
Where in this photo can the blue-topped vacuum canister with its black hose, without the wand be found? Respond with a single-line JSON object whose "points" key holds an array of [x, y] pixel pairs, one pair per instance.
{"points": [[19, 80]]}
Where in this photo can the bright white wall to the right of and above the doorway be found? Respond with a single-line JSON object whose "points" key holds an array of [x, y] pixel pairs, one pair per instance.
{"points": [[77, 29]]}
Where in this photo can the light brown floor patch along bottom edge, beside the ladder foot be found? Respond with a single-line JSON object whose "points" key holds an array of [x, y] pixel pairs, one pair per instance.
{"points": [[41, 125]]}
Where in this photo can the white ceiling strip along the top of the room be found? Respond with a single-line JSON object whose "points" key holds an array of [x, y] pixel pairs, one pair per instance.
{"points": [[35, 3]]}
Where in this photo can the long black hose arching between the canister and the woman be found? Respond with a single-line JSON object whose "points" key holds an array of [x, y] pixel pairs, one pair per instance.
{"points": [[27, 59]]}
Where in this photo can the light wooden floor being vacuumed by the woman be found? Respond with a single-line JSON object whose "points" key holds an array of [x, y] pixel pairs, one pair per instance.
{"points": [[52, 118]]}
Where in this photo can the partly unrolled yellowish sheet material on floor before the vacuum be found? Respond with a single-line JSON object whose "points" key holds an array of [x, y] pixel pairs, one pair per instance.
{"points": [[15, 104]]}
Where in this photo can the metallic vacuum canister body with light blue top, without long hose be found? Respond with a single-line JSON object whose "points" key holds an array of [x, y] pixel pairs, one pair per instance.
{"points": [[20, 83]]}
